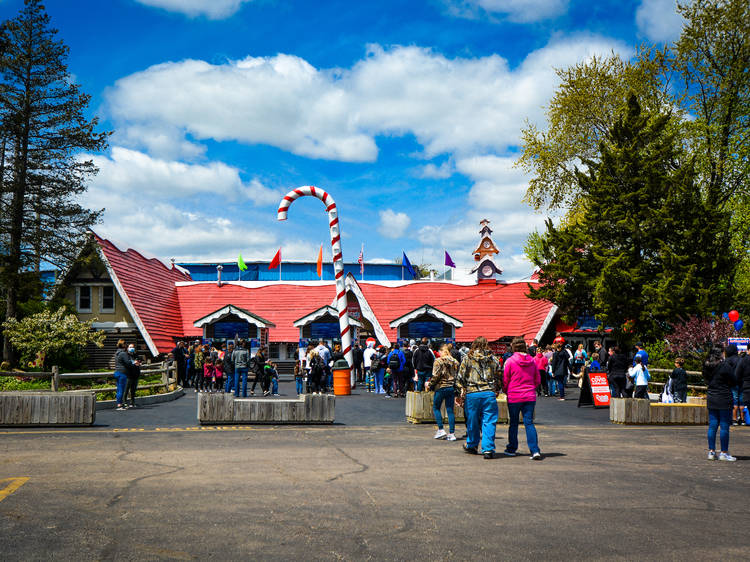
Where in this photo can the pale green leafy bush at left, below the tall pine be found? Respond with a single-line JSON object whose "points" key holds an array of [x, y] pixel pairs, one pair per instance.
{"points": [[48, 334]]}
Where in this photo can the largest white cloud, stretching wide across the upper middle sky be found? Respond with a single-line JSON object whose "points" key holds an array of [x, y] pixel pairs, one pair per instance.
{"points": [[461, 105]]}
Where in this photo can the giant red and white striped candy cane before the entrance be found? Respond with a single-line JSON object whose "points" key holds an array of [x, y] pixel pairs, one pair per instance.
{"points": [[338, 261]]}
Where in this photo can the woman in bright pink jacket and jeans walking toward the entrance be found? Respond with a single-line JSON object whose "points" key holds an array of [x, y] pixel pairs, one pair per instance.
{"points": [[520, 380]]}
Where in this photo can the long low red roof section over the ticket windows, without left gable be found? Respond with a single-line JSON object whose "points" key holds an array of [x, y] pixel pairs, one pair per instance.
{"points": [[492, 311]]}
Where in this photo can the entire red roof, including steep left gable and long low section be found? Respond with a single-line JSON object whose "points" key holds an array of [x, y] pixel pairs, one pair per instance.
{"points": [[164, 311]]}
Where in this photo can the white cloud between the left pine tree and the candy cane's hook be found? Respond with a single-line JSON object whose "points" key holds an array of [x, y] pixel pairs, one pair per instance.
{"points": [[138, 175]]}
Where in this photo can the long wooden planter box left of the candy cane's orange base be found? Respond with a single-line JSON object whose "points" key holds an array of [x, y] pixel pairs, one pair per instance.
{"points": [[225, 408]]}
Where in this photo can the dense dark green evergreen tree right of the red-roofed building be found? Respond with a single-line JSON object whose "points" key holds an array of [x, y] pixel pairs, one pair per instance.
{"points": [[644, 250]]}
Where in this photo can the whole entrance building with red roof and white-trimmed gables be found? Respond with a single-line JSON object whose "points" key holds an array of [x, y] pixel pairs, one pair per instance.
{"points": [[159, 304]]}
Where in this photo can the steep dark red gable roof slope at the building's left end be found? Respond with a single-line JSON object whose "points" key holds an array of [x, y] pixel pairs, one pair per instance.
{"points": [[147, 286]]}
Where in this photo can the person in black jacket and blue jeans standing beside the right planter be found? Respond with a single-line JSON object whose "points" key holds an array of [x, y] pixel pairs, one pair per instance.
{"points": [[719, 375]]}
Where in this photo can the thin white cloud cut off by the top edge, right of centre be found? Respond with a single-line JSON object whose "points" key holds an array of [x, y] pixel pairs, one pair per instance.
{"points": [[518, 11]]}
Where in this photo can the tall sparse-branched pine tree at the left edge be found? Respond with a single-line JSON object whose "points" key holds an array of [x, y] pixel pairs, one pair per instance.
{"points": [[44, 130]]}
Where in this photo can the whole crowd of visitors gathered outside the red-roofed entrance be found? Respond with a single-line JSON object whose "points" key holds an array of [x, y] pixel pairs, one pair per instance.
{"points": [[471, 377]]}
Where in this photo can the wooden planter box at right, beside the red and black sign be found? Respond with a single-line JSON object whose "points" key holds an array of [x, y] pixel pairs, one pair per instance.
{"points": [[635, 411]]}
